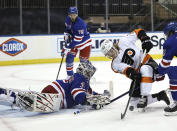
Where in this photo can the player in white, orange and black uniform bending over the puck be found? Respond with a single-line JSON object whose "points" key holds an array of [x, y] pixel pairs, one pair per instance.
{"points": [[126, 59]]}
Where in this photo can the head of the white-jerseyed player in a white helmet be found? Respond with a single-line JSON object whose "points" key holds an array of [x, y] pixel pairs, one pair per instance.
{"points": [[108, 49]]}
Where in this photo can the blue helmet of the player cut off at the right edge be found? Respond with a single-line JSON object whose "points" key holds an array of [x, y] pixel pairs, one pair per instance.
{"points": [[170, 27]]}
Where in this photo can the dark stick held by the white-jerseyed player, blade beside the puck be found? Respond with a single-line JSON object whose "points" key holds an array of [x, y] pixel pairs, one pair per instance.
{"points": [[132, 89]]}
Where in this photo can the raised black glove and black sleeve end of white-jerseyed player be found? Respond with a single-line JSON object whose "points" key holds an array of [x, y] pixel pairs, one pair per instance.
{"points": [[146, 43]]}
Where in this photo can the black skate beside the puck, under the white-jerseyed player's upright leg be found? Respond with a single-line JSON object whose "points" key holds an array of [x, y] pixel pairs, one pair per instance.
{"points": [[142, 104]]}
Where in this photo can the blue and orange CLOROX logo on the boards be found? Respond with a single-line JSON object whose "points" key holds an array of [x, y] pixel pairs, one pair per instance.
{"points": [[13, 47]]}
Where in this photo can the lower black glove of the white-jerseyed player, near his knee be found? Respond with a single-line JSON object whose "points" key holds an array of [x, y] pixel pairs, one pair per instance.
{"points": [[132, 74]]}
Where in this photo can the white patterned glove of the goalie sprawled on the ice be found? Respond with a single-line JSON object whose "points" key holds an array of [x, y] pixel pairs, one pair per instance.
{"points": [[98, 101]]}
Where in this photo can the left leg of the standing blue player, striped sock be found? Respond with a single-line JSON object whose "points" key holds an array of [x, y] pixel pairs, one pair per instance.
{"points": [[70, 61]]}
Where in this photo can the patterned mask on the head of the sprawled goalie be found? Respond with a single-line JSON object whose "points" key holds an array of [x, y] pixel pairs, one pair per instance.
{"points": [[86, 69]]}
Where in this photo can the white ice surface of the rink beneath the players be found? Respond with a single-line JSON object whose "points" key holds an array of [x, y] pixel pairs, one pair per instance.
{"points": [[35, 77]]}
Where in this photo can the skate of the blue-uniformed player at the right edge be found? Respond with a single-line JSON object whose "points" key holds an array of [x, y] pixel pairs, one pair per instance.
{"points": [[171, 110]]}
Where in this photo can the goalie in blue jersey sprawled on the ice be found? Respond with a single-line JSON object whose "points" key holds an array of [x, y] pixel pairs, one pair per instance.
{"points": [[59, 94]]}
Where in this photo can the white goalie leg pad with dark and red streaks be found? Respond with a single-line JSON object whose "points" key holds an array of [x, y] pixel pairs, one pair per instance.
{"points": [[40, 102]]}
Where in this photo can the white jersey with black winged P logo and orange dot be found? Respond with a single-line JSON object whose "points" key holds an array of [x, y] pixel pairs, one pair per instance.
{"points": [[129, 54]]}
